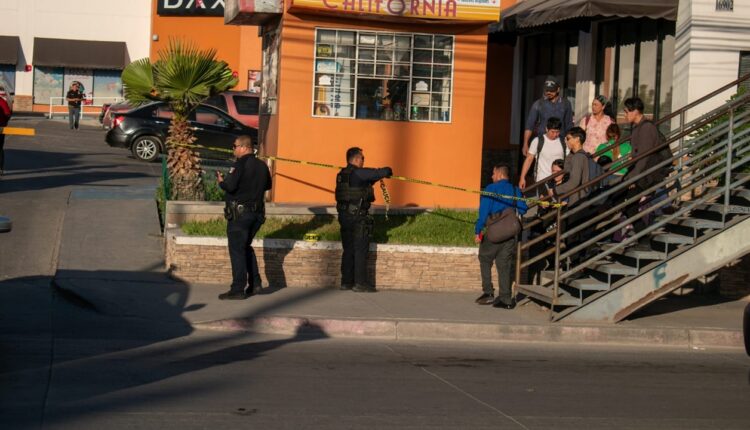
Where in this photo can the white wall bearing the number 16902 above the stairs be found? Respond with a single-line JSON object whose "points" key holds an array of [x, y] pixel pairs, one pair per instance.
{"points": [[707, 49]]}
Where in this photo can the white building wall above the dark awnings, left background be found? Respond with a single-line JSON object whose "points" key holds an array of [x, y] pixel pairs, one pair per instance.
{"points": [[105, 20]]}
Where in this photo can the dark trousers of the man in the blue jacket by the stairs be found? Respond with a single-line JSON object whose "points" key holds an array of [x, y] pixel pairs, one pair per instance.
{"points": [[503, 255]]}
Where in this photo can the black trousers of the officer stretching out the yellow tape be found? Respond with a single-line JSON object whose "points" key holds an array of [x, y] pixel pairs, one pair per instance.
{"points": [[355, 239]]}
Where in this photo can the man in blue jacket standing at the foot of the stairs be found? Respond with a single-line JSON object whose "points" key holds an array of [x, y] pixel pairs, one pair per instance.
{"points": [[502, 254]]}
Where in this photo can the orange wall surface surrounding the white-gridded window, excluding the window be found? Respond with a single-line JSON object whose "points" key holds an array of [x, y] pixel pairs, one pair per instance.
{"points": [[448, 153]]}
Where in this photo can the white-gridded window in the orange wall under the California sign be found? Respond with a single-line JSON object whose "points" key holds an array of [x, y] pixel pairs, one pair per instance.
{"points": [[385, 76]]}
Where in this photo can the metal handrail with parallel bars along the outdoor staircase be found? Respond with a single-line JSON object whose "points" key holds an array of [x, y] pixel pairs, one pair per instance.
{"points": [[731, 148]]}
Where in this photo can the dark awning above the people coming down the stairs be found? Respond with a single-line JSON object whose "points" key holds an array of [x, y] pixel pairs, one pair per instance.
{"points": [[531, 13]]}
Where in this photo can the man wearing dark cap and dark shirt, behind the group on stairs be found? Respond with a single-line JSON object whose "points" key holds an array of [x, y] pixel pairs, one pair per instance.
{"points": [[552, 104]]}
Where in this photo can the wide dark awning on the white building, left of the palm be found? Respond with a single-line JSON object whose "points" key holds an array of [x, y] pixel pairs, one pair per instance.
{"points": [[86, 54]]}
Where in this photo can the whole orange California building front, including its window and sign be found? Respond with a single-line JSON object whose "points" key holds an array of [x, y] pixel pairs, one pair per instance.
{"points": [[405, 82]]}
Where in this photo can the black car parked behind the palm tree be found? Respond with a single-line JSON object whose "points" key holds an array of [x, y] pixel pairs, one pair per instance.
{"points": [[144, 131]]}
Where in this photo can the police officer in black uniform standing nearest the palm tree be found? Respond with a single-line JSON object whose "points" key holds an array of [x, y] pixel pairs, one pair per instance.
{"points": [[244, 188]]}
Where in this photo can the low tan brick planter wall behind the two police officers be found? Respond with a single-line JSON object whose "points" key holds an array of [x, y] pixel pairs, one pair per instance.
{"points": [[289, 263]]}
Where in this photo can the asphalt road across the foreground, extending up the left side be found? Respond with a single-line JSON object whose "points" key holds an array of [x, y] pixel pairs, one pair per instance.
{"points": [[64, 365]]}
